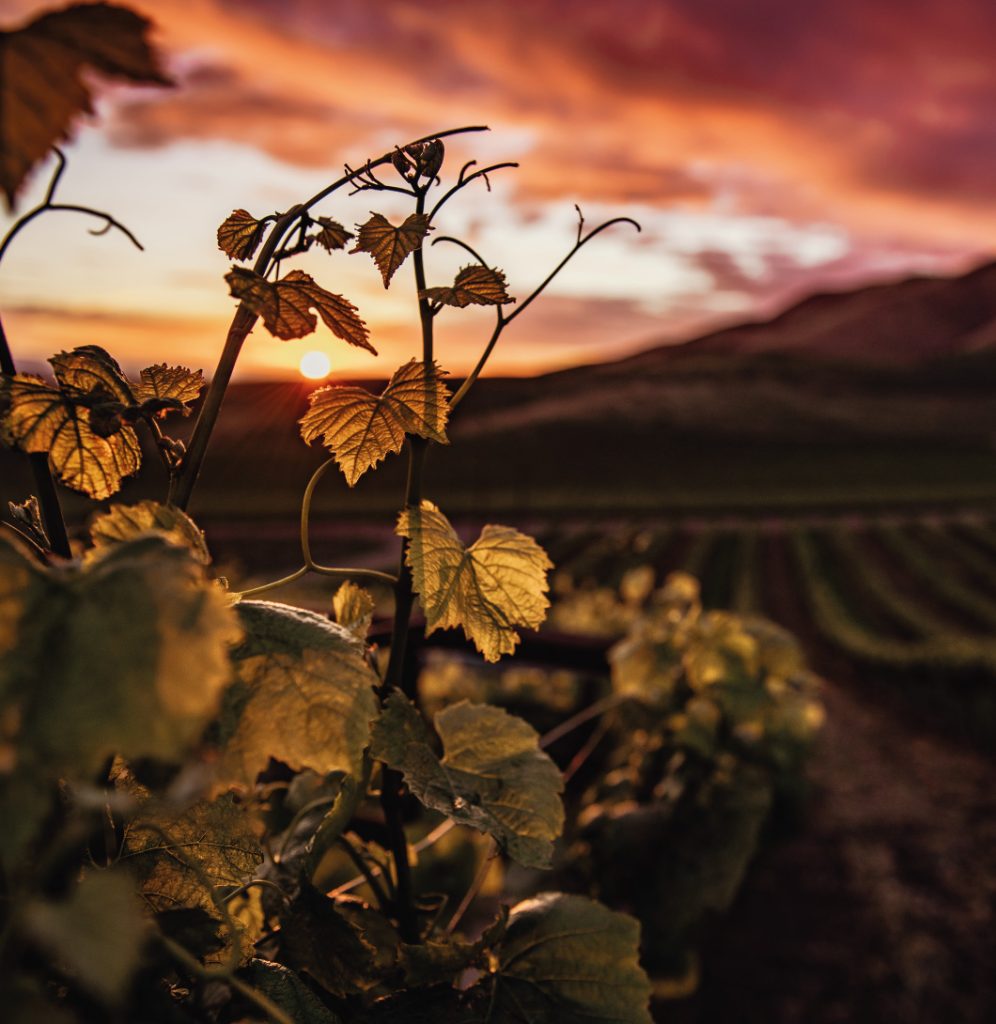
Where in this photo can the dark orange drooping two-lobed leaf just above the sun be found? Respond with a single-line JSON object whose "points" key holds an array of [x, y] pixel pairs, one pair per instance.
{"points": [[286, 307]]}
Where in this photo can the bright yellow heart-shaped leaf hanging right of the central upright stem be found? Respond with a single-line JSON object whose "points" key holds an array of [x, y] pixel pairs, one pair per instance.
{"points": [[496, 585]]}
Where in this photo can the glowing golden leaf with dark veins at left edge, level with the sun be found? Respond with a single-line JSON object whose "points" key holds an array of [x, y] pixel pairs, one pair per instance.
{"points": [[78, 421]]}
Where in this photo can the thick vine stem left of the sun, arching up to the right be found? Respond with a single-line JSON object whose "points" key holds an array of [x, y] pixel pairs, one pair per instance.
{"points": [[244, 321]]}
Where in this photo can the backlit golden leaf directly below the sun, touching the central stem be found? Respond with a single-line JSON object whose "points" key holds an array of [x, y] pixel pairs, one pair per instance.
{"points": [[361, 429]]}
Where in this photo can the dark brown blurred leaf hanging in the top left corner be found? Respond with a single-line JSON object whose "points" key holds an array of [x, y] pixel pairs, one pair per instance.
{"points": [[44, 82]]}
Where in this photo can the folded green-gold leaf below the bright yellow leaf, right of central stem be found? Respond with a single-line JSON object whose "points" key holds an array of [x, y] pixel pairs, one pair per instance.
{"points": [[493, 776]]}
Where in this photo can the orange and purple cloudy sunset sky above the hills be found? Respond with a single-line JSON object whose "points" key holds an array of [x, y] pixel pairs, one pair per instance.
{"points": [[769, 150]]}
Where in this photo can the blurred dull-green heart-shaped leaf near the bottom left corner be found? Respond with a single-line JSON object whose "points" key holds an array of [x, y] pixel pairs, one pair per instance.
{"points": [[96, 936]]}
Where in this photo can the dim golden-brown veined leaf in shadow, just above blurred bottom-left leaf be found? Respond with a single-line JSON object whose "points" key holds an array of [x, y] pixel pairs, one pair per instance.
{"points": [[189, 859]]}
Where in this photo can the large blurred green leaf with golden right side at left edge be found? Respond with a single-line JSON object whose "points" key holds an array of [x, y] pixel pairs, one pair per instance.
{"points": [[127, 655]]}
